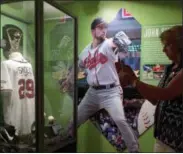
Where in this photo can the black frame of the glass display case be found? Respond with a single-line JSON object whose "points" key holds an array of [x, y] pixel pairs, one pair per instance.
{"points": [[39, 72]]}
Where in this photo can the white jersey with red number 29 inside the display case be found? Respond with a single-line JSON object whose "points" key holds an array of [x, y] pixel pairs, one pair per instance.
{"points": [[17, 76]]}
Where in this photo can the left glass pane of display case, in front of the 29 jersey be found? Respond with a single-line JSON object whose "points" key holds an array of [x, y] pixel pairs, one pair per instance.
{"points": [[17, 103]]}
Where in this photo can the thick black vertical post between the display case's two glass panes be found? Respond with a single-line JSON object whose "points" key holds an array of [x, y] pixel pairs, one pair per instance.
{"points": [[39, 59]]}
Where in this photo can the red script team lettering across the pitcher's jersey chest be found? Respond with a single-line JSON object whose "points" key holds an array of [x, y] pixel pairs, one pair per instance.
{"points": [[98, 58]]}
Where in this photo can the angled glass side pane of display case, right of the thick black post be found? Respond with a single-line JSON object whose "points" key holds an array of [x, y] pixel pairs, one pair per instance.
{"points": [[58, 61]]}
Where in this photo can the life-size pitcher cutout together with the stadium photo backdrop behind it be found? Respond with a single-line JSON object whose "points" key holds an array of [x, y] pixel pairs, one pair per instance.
{"points": [[119, 43]]}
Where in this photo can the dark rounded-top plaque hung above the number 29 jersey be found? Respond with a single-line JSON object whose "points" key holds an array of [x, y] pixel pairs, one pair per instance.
{"points": [[13, 37]]}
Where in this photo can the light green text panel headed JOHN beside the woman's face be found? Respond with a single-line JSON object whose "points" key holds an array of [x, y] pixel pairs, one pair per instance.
{"points": [[153, 59]]}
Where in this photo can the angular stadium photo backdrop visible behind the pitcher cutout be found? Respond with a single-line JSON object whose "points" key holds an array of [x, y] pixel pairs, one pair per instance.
{"points": [[139, 112]]}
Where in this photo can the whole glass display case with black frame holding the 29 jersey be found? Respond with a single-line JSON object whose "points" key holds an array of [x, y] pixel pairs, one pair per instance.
{"points": [[38, 53]]}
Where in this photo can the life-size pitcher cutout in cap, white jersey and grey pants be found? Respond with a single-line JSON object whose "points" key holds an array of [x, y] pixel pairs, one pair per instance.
{"points": [[98, 59]]}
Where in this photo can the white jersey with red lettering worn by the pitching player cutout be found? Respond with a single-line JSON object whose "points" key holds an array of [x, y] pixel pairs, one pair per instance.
{"points": [[100, 64]]}
